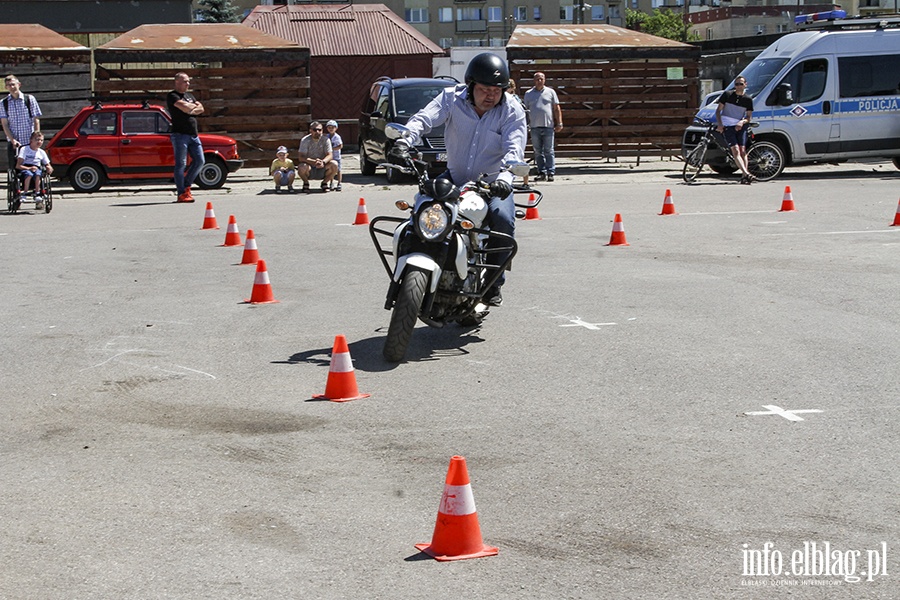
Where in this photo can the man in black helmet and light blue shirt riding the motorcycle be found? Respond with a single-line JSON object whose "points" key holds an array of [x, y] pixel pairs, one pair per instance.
{"points": [[483, 131]]}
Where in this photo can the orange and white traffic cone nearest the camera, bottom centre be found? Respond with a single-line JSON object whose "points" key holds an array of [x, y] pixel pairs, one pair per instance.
{"points": [[456, 533]]}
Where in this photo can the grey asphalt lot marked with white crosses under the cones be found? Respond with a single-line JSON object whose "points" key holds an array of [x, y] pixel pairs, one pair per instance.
{"points": [[625, 415]]}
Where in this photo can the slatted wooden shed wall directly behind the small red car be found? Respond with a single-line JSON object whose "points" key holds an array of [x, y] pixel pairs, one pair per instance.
{"points": [[258, 97]]}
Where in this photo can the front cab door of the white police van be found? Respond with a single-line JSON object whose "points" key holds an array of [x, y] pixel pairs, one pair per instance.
{"points": [[807, 122]]}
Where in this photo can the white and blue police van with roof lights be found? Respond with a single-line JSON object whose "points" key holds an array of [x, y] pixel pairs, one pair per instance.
{"points": [[826, 95]]}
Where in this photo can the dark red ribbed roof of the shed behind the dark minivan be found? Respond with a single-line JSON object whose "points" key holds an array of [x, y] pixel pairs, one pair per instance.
{"points": [[343, 30]]}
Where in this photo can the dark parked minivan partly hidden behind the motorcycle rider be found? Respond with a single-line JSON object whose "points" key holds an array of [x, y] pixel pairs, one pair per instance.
{"points": [[395, 101]]}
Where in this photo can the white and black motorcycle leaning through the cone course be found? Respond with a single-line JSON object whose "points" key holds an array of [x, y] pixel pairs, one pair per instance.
{"points": [[440, 272]]}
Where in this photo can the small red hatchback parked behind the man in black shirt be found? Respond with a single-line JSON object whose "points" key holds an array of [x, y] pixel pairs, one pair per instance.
{"points": [[130, 142]]}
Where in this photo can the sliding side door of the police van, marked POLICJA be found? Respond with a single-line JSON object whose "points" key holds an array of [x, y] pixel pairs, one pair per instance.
{"points": [[869, 105]]}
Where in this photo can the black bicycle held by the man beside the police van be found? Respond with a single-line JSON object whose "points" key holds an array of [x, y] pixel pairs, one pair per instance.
{"points": [[765, 161]]}
